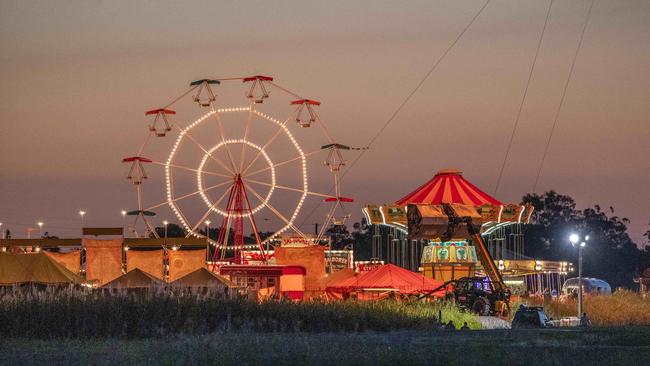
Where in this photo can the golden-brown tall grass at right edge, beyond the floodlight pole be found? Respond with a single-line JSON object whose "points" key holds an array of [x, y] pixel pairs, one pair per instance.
{"points": [[622, 308]]}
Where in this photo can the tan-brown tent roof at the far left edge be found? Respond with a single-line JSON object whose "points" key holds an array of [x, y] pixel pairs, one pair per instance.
{"points": [[34, 268]]}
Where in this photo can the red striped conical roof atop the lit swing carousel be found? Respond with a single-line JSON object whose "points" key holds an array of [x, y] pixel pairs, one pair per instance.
{"points": [[448, 186]]}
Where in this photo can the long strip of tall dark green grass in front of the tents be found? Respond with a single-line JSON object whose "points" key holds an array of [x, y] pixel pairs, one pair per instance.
{"points": [[73, 313]]}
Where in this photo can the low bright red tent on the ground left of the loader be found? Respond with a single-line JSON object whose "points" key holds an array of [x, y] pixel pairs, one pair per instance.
{"points": [[389, 278]]}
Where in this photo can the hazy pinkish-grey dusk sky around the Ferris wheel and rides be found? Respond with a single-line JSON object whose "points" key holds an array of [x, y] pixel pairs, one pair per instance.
{"points": [[77, 75]]}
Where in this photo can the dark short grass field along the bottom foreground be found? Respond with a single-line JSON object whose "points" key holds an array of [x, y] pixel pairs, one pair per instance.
{"points": [[601, 346]]}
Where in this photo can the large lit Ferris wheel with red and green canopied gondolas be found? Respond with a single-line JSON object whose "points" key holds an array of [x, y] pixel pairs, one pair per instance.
{"points": [[234, 165]]}
